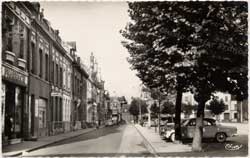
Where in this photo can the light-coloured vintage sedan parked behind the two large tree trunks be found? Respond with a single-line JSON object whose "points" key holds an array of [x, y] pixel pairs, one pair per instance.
{"points": [[210, 130]]}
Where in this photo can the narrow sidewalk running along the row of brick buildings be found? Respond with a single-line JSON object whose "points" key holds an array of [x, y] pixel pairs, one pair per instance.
{"points": [[27, 146]]}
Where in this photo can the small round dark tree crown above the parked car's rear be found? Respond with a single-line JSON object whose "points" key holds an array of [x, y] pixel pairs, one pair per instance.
{"points": [[216, 106]]}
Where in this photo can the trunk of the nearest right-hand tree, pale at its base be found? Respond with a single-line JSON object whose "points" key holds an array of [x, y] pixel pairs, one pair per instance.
{"points": [[197, 140]]}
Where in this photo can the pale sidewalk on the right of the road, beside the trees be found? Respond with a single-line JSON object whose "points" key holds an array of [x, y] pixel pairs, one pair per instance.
{"points": [[157, 144]]}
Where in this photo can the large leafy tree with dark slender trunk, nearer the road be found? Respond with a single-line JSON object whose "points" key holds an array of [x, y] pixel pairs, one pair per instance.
{"points": [[164, 69]]}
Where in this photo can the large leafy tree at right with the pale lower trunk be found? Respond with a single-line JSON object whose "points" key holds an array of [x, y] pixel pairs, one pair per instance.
{"points": [[220, 61]]}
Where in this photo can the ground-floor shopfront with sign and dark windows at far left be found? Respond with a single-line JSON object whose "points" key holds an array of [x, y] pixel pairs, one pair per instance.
{"points": [[14, 83]]}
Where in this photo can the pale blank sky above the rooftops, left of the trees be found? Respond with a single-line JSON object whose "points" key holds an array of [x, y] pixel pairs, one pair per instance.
{"points": [[95, 28]]}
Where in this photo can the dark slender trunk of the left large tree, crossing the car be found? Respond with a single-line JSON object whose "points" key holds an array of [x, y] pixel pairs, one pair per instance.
{"points": [[177, 120]]}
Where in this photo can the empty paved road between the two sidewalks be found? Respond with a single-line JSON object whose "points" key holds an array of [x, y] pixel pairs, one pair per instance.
{"points": [[108, 141]]}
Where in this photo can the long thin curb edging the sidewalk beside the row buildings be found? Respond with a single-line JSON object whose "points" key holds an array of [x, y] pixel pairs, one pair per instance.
{"points": [[45, 145]]}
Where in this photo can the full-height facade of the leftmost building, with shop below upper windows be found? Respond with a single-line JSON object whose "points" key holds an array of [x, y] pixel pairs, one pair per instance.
{"points": [[16, 25]]}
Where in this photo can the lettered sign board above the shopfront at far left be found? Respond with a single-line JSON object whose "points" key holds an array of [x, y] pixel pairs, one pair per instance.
{"points": [[13, 75]]}
